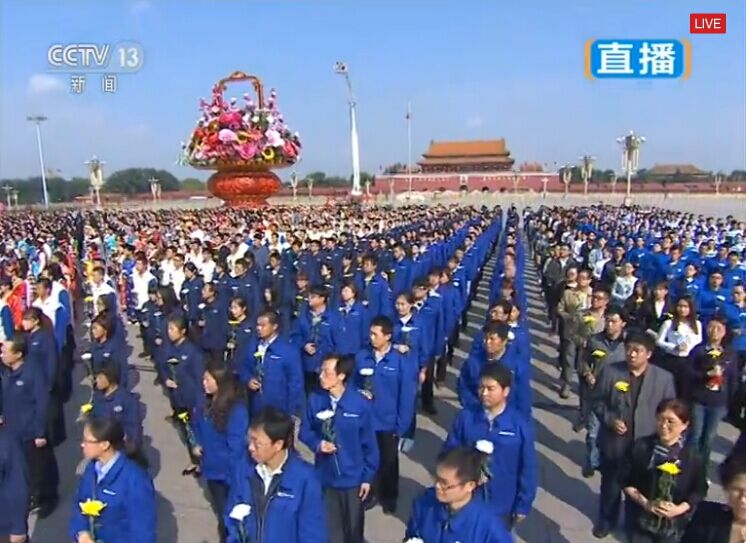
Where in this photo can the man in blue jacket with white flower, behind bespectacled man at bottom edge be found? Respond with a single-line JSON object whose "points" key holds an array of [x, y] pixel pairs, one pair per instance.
{"points": [[506, 437]]}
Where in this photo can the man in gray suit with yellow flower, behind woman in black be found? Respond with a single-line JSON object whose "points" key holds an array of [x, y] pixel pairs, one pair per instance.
{"points": [[625, 399]]}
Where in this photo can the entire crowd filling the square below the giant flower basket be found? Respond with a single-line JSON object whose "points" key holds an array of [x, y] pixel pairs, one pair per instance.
{"points": [[331, 327]]}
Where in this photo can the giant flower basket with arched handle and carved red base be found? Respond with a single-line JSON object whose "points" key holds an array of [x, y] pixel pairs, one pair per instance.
{"points": [[244, 141]]}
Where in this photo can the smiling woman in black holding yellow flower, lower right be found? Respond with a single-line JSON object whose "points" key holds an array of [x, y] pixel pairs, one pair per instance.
{"points": [[666, 479]]}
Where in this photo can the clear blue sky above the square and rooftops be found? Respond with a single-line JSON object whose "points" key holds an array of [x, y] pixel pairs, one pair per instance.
{"points": [[472, 69]]}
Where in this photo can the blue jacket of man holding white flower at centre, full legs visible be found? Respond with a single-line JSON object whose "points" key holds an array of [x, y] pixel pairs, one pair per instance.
{"points": [[393, 388]]}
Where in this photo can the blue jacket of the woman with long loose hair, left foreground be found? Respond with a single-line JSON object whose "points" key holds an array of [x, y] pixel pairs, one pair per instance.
{"points": [[221, 449]]}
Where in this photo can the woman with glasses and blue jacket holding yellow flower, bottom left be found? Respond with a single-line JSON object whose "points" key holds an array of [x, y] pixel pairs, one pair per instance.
{"points": [[114, 481]]}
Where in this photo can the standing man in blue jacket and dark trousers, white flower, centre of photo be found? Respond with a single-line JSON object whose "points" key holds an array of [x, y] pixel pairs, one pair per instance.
{"points": [[385, 378]]}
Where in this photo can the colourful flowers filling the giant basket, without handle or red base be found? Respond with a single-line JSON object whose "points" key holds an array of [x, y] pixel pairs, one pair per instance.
{"points": [[239, 134]]}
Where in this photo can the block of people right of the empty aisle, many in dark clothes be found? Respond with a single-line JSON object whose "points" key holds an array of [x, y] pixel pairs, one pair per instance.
{"points": [[650, 311]]}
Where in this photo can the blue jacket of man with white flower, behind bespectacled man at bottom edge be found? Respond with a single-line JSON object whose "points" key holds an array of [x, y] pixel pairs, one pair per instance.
{"points": [[512, 487]]}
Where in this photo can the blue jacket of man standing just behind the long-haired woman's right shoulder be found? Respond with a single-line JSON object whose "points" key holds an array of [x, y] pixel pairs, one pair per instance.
{"points": [[282, 377]]}
